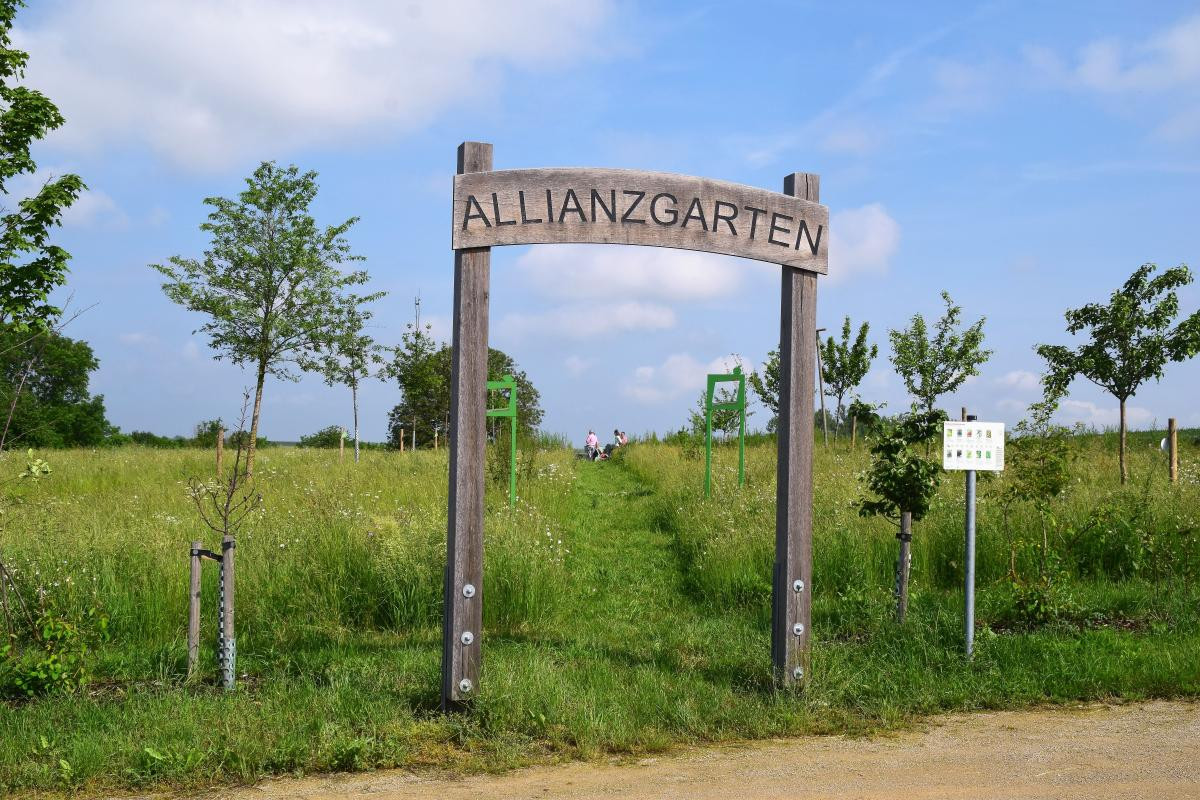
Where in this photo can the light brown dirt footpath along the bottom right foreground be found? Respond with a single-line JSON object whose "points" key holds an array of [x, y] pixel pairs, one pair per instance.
{"points": [[1148, 751]]}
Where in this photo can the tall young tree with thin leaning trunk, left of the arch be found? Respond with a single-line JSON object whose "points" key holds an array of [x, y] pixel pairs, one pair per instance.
{"points": [[271, 281]]}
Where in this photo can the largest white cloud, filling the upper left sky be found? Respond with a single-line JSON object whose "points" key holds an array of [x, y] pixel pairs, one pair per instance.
{"points": [[209, 83]]}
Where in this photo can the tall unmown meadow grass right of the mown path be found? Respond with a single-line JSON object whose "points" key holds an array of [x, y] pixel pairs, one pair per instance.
{"points": [[1100, 531]]}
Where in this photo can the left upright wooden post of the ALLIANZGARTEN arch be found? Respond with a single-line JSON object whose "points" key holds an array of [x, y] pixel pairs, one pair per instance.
{"points": [[469, 408]]}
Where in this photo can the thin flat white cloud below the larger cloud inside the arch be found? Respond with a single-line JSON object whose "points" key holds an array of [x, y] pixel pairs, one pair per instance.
{"points": [[587, 321]]}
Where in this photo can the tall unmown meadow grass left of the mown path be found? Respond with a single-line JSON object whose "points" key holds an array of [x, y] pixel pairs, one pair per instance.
{"points": [[335, 548]]}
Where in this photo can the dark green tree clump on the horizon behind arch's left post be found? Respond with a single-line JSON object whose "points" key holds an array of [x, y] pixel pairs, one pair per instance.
{"points": [[422, 368]]}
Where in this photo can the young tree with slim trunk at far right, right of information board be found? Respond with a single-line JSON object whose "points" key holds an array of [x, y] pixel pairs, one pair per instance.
{"points": [[1132, 340]]}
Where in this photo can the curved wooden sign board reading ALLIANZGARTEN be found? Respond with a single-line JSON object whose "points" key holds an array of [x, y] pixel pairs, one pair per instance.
{"points": [[628, 207]]}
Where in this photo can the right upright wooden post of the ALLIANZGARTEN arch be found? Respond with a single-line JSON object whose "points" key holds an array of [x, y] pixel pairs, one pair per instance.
{"points": [[793, 581]]}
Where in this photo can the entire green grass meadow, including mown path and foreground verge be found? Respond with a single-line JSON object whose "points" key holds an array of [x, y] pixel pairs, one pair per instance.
{"points": [[625, 613]]}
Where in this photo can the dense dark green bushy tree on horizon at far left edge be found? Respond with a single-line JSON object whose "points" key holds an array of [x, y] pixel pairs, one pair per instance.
{"points": [[45, 394]]}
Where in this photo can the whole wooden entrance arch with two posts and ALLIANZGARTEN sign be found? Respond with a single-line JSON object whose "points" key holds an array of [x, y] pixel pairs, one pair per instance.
{"points": [[619, 207]]}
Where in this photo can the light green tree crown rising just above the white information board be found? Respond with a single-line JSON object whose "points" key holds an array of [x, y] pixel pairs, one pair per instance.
{"points": [[932, 368]]}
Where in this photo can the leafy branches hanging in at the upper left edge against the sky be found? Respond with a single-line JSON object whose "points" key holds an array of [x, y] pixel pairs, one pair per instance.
{"points": [[31, 267]]}
